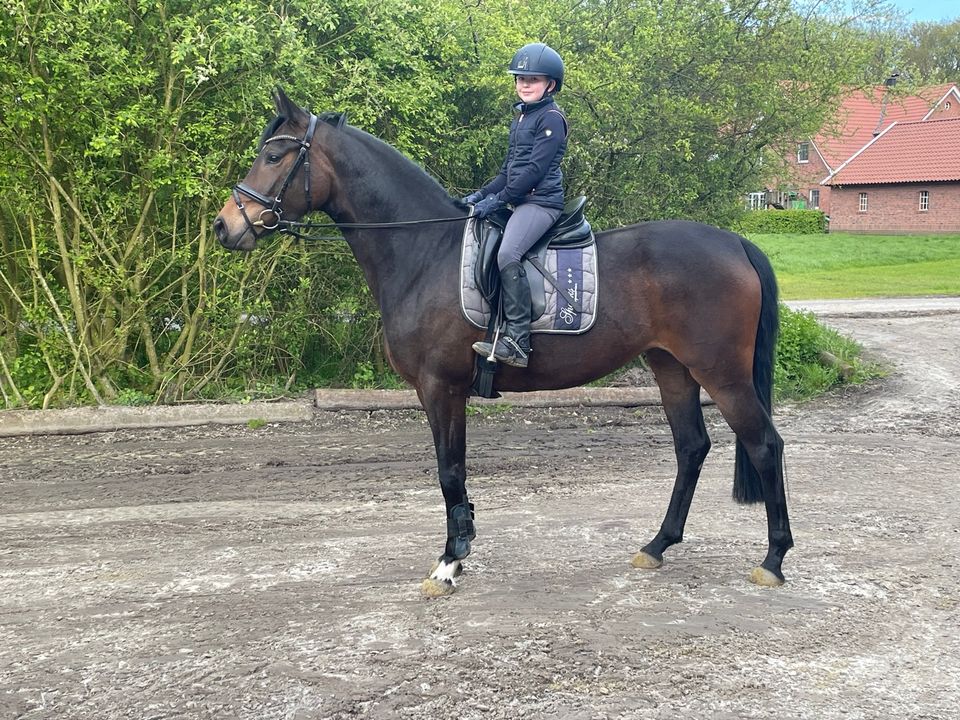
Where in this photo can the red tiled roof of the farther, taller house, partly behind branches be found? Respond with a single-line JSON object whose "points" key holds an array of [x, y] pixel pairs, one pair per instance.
{"points": [[859, 116]]}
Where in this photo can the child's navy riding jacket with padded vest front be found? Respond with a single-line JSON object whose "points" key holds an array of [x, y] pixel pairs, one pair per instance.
{"points": [[531, 171]]}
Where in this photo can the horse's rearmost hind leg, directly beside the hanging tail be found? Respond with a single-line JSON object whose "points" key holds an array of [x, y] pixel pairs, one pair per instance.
{"points": [[754, 428]]}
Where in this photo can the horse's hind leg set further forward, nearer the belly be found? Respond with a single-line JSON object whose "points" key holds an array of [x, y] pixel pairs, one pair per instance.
{"points": [[680, 394]]}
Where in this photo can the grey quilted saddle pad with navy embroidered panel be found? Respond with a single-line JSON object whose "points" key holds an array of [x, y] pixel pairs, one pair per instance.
{"points": [[573, 269]]}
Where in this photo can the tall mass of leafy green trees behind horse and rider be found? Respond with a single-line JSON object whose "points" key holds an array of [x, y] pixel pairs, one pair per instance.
{"points": [[124, 123]]}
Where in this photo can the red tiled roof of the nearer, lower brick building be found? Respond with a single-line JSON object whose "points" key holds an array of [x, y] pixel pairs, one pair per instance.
{"points": [[926, 151]]}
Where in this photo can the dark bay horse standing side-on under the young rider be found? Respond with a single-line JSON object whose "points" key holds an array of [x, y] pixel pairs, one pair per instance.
{"points": [[700, 302]]}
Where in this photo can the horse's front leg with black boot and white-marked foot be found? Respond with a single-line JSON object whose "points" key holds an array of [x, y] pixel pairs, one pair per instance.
{"points": [[446, 411]]}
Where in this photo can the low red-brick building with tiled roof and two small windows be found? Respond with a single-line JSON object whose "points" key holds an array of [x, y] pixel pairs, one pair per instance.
{"points": [[906, 179]]}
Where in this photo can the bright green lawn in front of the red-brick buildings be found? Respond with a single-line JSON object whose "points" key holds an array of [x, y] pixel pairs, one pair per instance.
{"points": [[841, 265]]}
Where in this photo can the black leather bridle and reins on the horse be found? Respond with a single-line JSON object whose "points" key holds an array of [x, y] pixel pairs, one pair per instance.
{"points": [[271, 217]]}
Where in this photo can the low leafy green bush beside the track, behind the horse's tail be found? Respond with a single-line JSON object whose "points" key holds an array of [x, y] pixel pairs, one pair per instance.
{"points": [[812, 358]]}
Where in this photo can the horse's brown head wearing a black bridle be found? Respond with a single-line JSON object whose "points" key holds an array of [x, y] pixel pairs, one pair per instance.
{"points": [[289, 178]]}
